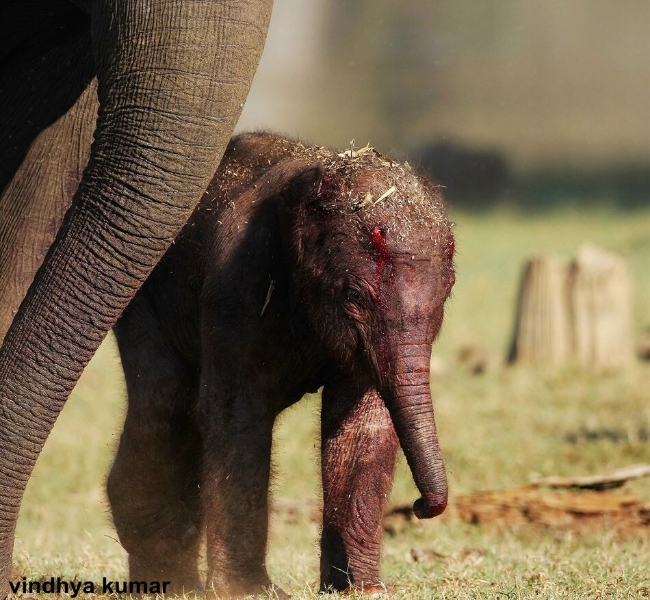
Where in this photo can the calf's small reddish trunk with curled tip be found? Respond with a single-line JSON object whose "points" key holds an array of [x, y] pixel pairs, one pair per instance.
{"points": [[407, 394]]}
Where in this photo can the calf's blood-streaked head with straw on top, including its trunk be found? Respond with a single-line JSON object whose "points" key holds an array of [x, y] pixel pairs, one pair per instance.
{"points": [[372, 253]]}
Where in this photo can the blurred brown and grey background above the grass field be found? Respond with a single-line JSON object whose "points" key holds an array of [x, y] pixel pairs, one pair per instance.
{"points": [[526, 103]]}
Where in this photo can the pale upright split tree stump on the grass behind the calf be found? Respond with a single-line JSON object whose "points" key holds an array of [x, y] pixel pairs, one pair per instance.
{"points": [[576, 313]]}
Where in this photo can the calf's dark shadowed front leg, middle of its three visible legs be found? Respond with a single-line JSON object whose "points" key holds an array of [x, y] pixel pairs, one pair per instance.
{"points": [[234, 490]]}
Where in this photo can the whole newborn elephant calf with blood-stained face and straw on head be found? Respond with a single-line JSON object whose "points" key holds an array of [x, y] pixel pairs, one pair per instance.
{"points": [[300, 268]]}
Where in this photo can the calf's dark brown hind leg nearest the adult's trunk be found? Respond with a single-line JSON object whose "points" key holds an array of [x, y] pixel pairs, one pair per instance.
{"points": [[153, 484]]}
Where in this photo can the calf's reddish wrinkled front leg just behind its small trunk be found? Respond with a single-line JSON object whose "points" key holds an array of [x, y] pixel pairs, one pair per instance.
{"points": [[358, 458]]}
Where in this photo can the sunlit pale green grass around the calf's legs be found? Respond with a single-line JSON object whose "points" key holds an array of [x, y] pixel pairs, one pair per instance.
{"points": [[499, 429]]}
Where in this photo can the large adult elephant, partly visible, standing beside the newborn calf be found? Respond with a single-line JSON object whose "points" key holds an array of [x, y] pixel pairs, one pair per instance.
{"points": [[171, 79]]}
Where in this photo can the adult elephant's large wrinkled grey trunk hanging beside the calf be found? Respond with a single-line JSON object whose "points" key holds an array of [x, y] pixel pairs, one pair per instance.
{"points": [[172, 77]]}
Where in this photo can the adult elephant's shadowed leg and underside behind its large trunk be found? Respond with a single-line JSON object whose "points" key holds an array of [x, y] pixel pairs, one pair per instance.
{"points": [[48, 106]]}
